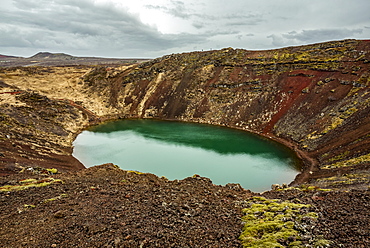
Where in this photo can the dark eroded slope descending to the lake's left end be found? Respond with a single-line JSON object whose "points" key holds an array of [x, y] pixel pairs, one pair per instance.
{"points": [[38, 133]]}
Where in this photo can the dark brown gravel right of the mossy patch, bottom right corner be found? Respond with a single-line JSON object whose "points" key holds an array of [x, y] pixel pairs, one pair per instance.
{"points": [[343, 215]]}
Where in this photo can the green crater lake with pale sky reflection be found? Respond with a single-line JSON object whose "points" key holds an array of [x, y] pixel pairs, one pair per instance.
{"points": [[177, 150]]}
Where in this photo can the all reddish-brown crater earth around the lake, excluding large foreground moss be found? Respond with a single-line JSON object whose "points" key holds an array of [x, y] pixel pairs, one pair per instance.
{"points": [[314, 99]]}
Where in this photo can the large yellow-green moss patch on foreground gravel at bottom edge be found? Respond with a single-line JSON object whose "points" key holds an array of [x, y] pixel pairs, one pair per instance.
{"points": [[275, 223]]}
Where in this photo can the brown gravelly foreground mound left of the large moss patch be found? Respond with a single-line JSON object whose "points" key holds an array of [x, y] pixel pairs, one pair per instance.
{"points": [[108, 207]]}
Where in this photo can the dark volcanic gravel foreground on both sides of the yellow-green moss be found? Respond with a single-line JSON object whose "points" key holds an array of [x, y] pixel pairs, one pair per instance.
{"points": [[104, 206]]}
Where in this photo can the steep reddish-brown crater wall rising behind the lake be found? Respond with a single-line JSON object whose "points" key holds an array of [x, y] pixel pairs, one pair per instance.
{"points": [[313, 98]]}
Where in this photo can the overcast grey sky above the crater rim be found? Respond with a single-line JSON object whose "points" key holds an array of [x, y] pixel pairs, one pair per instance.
{"points": [[152, 28]]}
